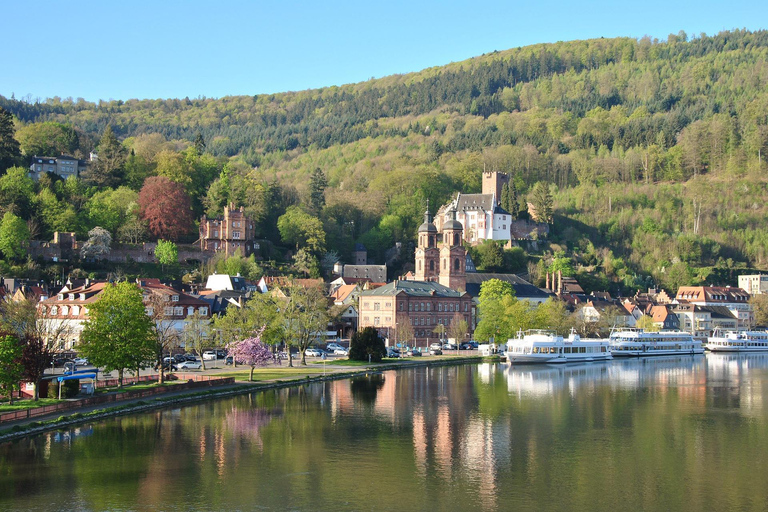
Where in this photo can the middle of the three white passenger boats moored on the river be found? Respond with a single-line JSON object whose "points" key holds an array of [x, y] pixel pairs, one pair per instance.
{"points": [[638, 343]]}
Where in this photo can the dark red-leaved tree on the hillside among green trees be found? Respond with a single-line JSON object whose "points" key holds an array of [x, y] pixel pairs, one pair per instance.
{"points": [[166, 207]]}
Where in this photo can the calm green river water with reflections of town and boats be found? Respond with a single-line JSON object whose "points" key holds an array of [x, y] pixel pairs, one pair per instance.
{"points": [[682, 433]]}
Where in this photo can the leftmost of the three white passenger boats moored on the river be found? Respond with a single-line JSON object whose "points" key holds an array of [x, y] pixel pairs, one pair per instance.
{"points": [[544, 346]]}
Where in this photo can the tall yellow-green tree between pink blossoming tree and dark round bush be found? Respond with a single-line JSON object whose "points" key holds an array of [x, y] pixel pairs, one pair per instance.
{"points": [[305, 315]]}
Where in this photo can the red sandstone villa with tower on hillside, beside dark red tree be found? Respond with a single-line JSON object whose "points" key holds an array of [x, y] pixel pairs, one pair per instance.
{"points": [[228, 234]]}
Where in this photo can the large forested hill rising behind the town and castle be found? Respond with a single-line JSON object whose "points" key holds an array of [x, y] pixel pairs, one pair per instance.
{"points": [[654, 150]]}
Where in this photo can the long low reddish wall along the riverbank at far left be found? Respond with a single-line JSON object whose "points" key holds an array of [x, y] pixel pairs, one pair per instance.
{"points": [[193, 382]]}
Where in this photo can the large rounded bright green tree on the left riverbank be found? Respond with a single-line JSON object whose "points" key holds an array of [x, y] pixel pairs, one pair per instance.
{"points": [[118, 335]]}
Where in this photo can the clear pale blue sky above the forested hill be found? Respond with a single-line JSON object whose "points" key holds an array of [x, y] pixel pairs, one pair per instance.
{"points": [[175, 49]]}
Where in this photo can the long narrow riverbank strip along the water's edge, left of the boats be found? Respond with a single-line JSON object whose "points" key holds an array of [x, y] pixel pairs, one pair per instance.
{"points": [[31, 426]]}
